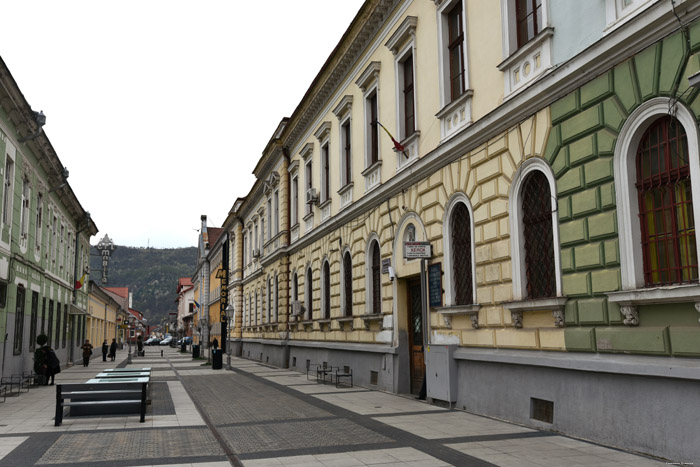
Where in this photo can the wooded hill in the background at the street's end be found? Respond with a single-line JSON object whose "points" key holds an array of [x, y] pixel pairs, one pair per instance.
{"points": [[150, 273]]}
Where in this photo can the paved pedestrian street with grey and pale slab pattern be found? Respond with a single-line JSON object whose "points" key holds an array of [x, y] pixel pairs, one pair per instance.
{"points": [[257, 415]]}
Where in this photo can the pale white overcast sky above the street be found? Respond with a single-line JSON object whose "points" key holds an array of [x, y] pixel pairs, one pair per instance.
{"points": [[161, 108]]}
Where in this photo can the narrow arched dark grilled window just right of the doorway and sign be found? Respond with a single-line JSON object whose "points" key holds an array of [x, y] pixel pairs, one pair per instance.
{"points": [[460, 224]]}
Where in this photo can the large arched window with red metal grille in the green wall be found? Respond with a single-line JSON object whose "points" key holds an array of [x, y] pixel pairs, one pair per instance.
{"points": [[666, 205]]}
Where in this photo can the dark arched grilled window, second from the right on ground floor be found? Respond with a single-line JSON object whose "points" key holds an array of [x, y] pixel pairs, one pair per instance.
{"points": [[538, 236]]}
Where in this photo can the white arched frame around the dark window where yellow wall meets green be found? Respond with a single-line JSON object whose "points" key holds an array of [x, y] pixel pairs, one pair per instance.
{"points": [[516, 226]]}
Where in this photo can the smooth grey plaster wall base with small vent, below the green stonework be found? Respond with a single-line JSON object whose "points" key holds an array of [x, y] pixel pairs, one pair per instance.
{"points": [[658, 416]]}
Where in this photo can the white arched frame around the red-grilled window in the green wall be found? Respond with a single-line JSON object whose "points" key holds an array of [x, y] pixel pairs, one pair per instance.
{"points": [[631, 256]]}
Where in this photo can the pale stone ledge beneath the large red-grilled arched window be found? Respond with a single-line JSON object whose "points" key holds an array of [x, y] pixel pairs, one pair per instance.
{"points": [[629, 300]]}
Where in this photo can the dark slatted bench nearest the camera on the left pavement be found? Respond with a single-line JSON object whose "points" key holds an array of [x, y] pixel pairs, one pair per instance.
{"points": [[101, 398]]}
